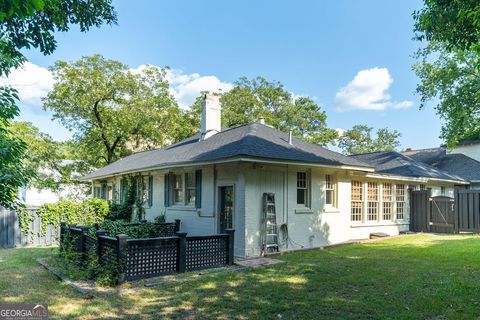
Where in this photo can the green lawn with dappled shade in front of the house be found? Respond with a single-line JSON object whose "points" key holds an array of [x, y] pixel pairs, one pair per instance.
{"points": [[421, 276]]}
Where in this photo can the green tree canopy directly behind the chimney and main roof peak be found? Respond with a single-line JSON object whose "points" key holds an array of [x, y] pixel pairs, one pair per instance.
{"points": [[249, 100]]}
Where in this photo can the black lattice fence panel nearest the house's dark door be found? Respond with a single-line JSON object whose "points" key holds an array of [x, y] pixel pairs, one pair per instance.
{"points": [[206, 252]]}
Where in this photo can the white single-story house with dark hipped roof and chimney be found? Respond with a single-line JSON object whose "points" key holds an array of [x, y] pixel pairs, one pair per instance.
{"points": [[216, 180]]}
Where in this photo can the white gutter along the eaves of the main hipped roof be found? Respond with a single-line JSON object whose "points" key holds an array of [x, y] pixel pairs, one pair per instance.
{"points": [[237, 159]]}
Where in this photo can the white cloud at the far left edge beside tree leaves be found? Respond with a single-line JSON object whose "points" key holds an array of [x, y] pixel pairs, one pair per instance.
{"points": [[32, 82]]}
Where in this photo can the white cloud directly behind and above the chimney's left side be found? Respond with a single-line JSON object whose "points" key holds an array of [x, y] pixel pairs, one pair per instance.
{"points": [[187, 87]]}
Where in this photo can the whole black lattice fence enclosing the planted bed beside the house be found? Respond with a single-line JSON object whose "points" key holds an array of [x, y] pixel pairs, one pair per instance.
{"points": [[145, 258]]}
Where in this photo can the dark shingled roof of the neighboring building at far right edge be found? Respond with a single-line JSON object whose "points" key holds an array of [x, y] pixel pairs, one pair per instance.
{"points": [[453, 163]]}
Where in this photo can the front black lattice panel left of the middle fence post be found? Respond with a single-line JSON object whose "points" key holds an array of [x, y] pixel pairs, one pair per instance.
{"points": [[151, 257]]}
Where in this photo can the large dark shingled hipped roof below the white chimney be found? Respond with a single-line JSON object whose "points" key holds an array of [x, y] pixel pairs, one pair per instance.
{"points": [[254, 140]]}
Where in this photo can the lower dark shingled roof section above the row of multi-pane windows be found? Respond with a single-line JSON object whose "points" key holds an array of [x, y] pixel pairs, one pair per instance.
{"points": [[394, 163]]}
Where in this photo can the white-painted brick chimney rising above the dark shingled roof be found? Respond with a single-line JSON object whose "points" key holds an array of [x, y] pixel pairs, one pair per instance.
{"points": [[211, 116]]}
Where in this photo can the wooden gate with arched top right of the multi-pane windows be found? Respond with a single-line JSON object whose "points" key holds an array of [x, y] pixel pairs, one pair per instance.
{"points": [[431, 214]]}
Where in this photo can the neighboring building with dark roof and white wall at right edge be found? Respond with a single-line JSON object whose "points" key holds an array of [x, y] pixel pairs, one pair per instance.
{"points": [[453, 162]]}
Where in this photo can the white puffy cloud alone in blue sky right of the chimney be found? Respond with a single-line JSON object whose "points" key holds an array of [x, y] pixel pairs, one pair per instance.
{"points": [[369, 91]]}
